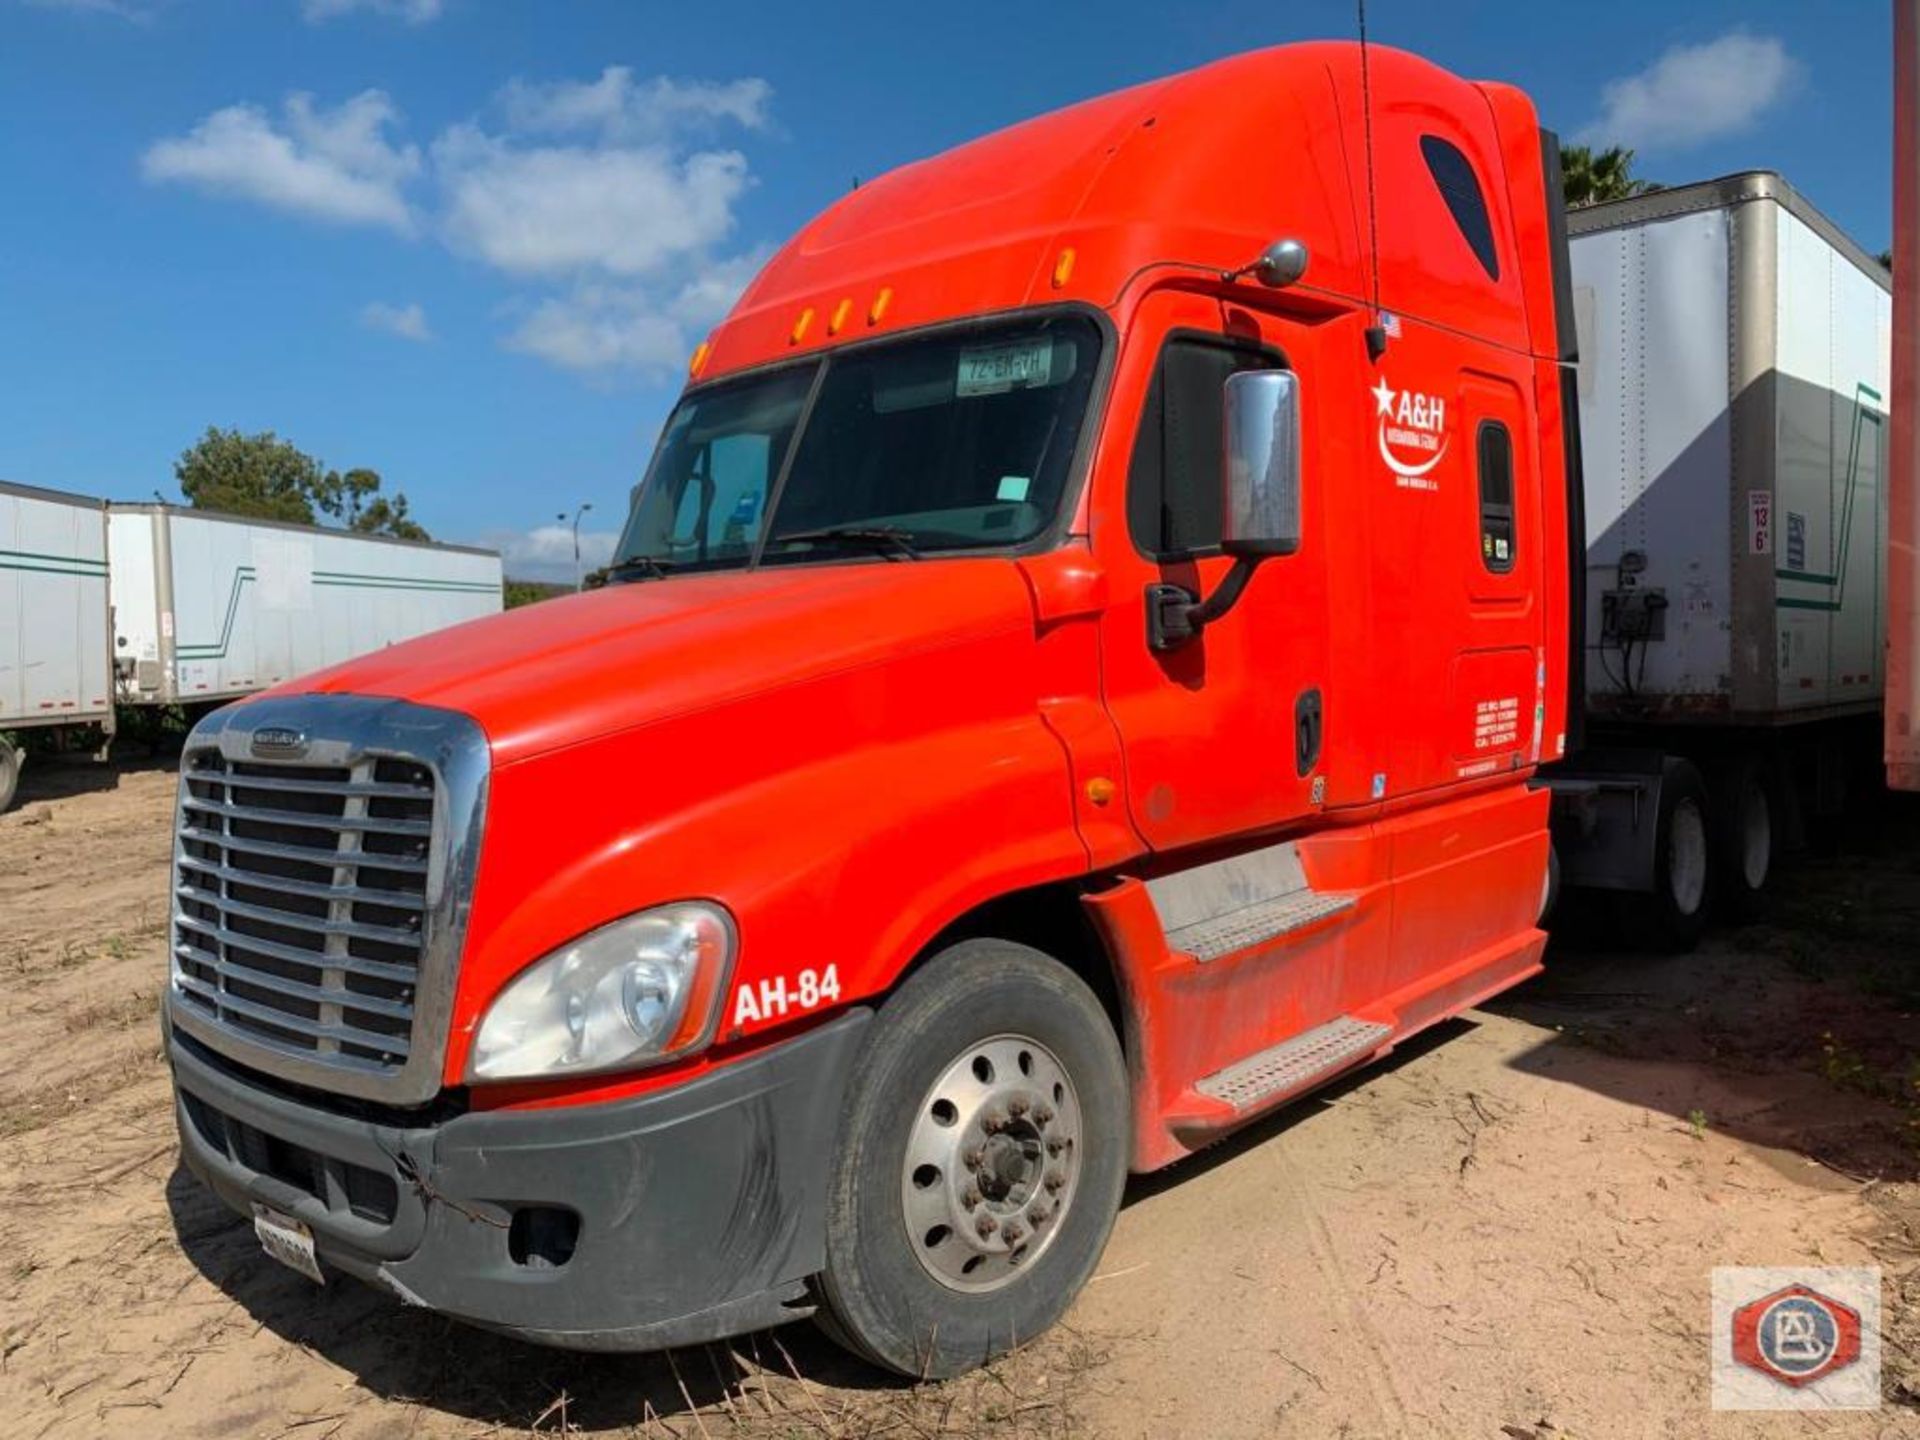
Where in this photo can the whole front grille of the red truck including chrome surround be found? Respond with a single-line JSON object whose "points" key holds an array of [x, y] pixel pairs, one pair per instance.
{"points": [[324, 871]]}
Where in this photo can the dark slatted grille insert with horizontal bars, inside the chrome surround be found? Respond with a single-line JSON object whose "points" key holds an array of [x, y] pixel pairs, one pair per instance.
{"points": [[300, 901]]}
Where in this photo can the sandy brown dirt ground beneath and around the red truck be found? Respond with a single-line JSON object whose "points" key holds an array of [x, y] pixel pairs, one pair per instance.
{"points": [[1506, 1232]]}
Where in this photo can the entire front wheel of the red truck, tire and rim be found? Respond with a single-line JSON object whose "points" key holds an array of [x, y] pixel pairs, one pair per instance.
{"points": [[992, 1090]]}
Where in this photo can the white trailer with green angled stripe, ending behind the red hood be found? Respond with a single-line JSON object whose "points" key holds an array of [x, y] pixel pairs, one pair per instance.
{"points": [[208, 608]]}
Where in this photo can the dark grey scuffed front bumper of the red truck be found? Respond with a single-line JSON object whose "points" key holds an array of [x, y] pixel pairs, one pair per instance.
{"points": [[681, 1216]]}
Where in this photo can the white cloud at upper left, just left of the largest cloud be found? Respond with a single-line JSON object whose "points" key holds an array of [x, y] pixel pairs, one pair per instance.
{"points": [[325, 164]]}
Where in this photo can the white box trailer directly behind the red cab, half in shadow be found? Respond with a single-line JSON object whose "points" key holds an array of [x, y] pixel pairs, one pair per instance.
{"points": [[1733, 379]]}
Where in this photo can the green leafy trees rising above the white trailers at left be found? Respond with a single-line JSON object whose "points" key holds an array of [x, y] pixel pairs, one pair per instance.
{"points": [[272, 479]]}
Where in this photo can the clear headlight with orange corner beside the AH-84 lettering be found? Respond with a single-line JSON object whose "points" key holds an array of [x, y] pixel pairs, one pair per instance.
{"points": [[629, 994]]}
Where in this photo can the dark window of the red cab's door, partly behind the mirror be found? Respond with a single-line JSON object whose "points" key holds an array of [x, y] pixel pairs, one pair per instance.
{"points": [[1176, 473]]}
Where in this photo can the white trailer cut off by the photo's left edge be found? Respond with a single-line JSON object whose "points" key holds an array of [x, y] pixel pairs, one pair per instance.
{"points": [[57, 673]]}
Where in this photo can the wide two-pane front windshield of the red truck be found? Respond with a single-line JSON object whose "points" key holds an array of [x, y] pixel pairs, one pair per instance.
{"points": [[955, 441]]}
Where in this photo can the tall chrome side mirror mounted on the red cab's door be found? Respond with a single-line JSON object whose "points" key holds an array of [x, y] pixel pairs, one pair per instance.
{"points": [[1260, 504]]}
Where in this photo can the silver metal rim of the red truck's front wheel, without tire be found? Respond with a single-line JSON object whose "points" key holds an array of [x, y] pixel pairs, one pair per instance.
{"points": [[992, 1164]]}
